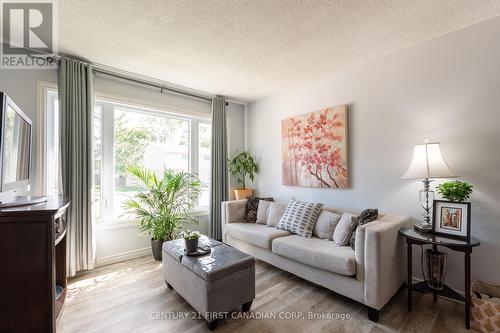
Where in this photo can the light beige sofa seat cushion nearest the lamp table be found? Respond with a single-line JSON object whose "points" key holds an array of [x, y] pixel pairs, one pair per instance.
{"points": [[318, 253]]}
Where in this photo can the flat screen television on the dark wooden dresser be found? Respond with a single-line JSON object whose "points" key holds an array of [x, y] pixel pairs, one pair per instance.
{"points": [[15, 147]]}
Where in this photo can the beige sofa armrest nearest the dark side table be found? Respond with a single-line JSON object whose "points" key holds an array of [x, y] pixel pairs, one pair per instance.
{"points": [[384, 259]]}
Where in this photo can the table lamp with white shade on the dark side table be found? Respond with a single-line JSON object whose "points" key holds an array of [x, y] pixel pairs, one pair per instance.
{"points": [[427, 164]]}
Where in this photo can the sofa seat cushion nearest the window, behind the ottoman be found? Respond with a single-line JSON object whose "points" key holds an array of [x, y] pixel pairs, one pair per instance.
{"points": [[256, 234]]}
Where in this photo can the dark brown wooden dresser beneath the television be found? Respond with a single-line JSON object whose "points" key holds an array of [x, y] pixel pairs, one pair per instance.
{"points": [[32, 264]]}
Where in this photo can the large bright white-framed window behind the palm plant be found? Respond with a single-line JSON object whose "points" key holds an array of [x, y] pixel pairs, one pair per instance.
{"points": [[126, 135]]}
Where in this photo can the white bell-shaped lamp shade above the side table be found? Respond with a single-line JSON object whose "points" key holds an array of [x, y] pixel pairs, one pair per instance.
{"points": [[428, 162]]}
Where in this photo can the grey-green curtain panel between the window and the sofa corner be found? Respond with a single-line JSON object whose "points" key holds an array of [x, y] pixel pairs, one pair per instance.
{"points": [[219, 177]]}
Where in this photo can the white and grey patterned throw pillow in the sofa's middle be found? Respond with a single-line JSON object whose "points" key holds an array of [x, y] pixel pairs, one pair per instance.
{"points": [[299, 217]]}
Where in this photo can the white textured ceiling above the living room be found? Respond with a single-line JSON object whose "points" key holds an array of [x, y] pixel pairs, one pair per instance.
{"points": [[251, 49]]}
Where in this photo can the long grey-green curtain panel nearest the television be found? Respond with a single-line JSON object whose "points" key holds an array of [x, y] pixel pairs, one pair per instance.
{"points": [[76, 107]]}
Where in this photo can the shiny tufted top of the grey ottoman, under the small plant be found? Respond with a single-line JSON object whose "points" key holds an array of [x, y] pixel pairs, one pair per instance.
{"points": [[223, 259]]}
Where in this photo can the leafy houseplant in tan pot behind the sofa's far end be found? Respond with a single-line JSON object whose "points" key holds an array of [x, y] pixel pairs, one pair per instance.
{"points": [[243, 167]]}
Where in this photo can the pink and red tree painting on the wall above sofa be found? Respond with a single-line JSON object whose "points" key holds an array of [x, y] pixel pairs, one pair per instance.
{"points": [[314, 149]]}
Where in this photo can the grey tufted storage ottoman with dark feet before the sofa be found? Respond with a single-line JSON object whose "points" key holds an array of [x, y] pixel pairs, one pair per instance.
{"points": [[215, 283]]}
